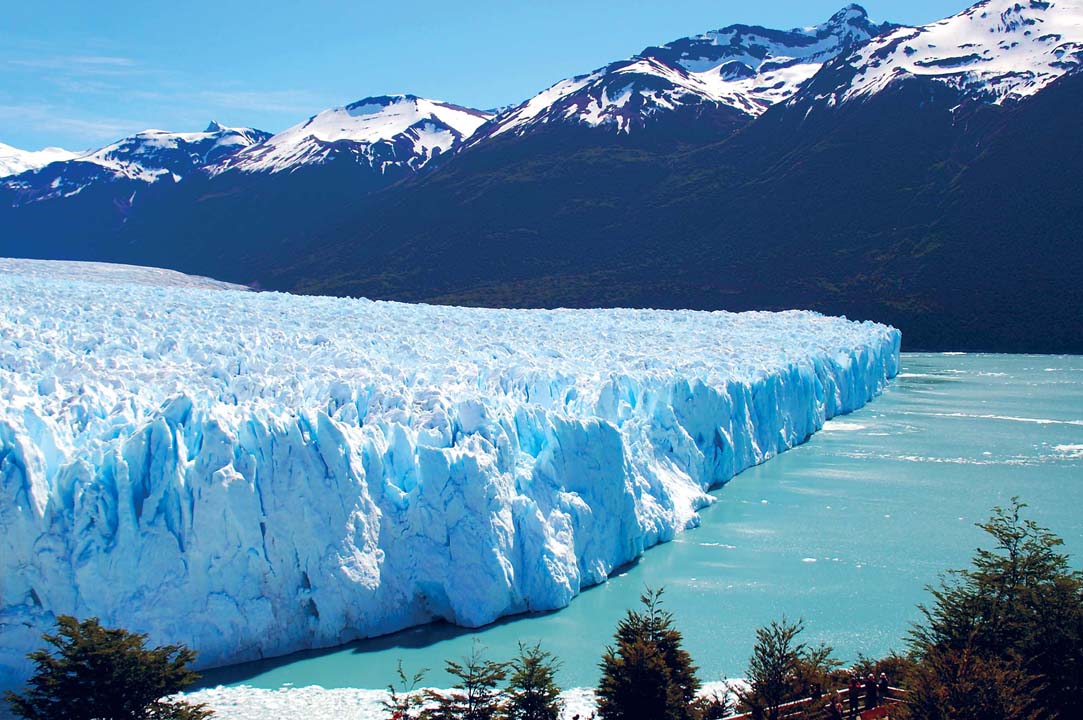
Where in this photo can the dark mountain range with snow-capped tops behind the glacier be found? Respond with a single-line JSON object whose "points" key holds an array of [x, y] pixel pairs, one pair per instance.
{"points": [[925, 177]]}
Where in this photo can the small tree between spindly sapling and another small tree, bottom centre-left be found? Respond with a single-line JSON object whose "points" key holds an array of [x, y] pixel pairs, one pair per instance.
{"points": [[475, 697]]}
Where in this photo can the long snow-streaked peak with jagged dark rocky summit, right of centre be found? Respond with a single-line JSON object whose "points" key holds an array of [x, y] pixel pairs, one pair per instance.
{"points": [[741, 70]]}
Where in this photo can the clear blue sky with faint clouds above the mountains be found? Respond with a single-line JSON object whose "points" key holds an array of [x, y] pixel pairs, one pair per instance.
{"points": [[81, 74]]}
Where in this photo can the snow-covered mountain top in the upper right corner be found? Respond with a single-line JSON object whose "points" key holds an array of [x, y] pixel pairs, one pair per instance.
{"points": [[995, 51]]}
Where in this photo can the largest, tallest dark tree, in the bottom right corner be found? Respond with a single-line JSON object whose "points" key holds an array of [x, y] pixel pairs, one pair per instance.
{"points": [[1006, 635]]}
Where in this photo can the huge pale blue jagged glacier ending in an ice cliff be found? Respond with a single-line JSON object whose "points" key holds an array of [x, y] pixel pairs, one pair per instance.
{"points": [[257, 474]]}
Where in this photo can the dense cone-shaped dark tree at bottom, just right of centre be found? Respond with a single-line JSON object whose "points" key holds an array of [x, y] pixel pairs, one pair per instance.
{"points": [[647, 675]]}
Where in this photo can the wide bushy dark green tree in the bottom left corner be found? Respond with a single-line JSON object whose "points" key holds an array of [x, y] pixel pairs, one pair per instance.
{"points": [[100, 674]]}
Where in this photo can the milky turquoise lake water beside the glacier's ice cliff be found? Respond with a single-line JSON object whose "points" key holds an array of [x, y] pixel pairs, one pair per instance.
{"points": [[844, 532]]}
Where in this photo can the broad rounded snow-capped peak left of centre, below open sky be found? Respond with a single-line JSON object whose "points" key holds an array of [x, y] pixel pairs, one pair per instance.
{"points": [[385, 132]]}
